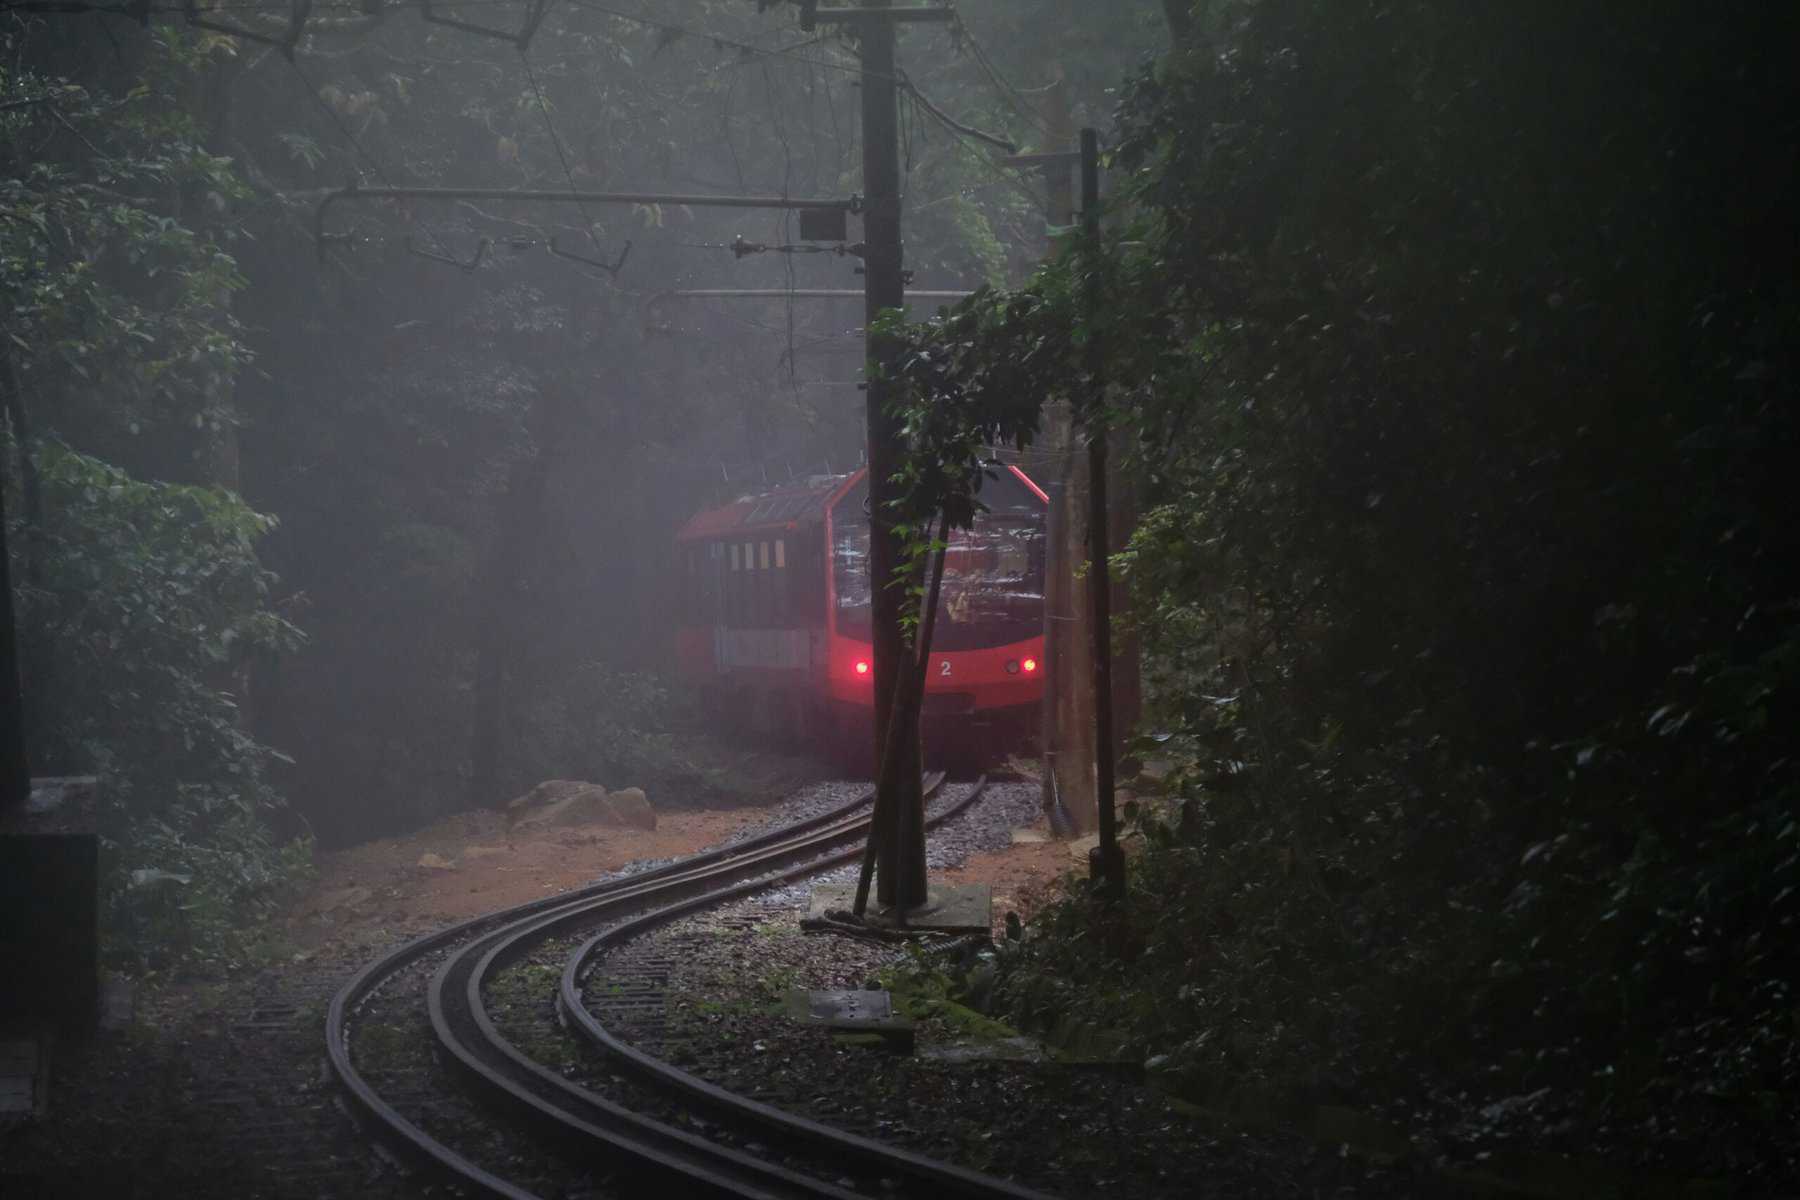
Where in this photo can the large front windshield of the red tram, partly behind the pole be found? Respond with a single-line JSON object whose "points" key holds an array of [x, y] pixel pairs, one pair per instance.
{"points": [[993, 575]]}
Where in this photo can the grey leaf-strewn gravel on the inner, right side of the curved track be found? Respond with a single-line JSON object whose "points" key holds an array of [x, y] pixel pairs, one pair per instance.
{"points": [[1063, 1129]]}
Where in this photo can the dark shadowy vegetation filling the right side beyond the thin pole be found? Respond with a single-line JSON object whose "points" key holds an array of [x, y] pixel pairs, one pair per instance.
{"points": [[1459, 368]]}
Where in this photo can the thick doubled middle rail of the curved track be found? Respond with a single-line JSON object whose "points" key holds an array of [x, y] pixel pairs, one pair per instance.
{"points": [[456, 998]]}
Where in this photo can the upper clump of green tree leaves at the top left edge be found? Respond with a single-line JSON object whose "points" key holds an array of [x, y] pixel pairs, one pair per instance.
{"points": [[116, 309]]}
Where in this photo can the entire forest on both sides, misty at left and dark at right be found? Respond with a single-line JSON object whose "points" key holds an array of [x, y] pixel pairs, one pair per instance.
{"points": [[1453, 350]]}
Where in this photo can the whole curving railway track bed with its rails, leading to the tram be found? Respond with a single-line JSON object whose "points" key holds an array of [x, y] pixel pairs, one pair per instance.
{"points": [[584, 1107]]}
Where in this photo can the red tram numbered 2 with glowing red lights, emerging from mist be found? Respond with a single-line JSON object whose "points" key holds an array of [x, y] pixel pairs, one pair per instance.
{"points": [[775, 616]]}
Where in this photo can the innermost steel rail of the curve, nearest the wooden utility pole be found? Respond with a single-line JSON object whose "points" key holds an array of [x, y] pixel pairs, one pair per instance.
{"points": [[876, 1154]]}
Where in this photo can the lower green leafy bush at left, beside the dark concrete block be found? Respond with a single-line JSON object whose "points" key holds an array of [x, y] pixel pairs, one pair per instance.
{"points": [[150, 595]]}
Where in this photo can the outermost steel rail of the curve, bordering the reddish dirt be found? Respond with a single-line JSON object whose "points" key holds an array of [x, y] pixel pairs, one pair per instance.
{"points": [[409, 1138]]}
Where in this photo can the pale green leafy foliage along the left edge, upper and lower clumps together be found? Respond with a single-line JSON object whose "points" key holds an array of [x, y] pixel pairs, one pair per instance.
{"points": [[141, 605]]}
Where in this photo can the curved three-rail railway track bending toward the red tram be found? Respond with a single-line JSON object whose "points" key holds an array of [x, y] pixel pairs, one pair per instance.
{"points": [[634, 1125]]}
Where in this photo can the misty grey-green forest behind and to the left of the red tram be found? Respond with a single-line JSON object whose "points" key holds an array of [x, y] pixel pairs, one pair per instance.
{"points": [[287, 515]]}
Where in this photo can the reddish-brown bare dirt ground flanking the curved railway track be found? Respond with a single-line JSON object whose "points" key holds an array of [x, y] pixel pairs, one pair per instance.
{"points": [[215, 1088]]}
